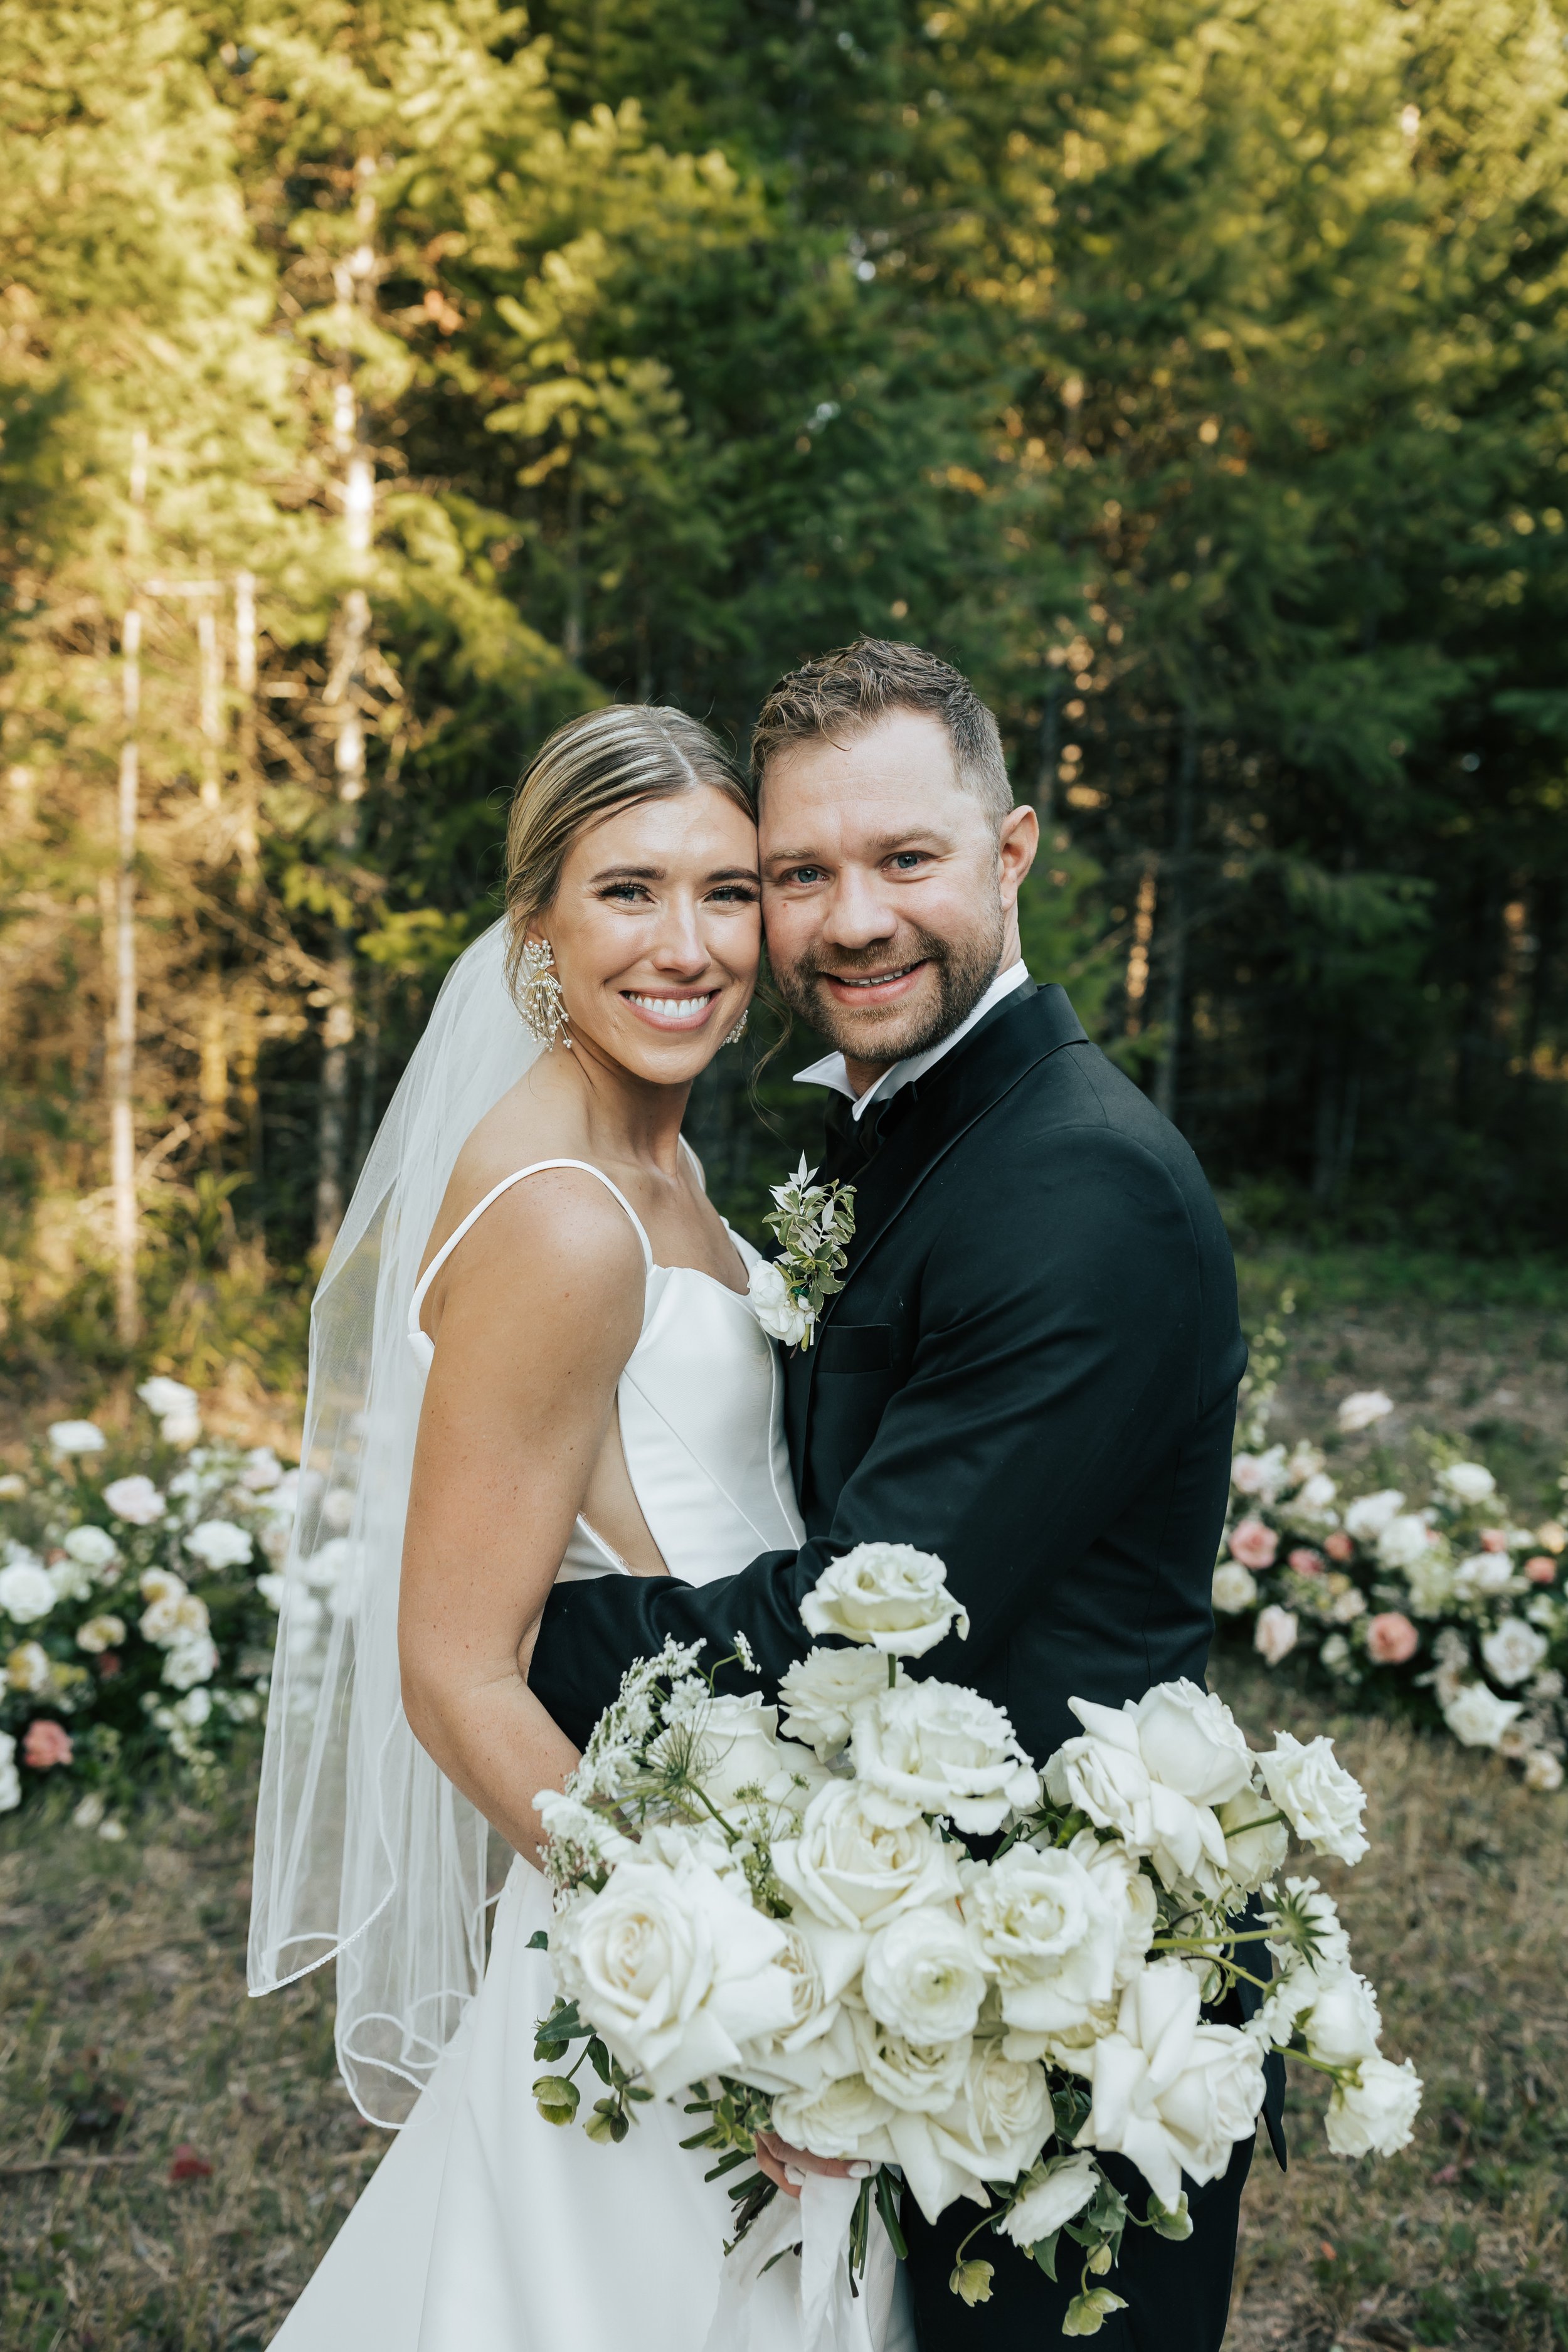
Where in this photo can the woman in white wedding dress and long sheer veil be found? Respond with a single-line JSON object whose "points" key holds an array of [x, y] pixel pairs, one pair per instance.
{"points": [[532, 1358]]}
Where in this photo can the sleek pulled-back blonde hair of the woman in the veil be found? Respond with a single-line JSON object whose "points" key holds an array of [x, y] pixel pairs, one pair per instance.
{"points": [[591, 766]]}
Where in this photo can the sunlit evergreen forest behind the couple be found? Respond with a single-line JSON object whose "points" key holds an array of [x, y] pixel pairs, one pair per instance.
{"points": [[384, 382]]}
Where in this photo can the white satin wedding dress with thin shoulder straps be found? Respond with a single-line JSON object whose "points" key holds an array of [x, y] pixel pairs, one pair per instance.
{"points": [[485, 2229]]}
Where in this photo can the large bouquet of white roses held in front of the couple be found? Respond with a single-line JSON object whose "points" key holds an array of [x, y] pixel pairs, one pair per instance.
{"points": [[784, 1923]]}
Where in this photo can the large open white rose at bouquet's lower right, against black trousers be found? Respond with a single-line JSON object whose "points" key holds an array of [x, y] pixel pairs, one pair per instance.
{"points": [[1170, 2092]]}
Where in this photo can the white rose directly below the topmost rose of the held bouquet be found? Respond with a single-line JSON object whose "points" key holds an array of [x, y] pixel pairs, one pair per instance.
{"points": [[937, 1749]]}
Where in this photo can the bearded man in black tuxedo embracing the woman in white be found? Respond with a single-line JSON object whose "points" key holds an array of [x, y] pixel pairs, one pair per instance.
{"points": [[1033, 1363]]}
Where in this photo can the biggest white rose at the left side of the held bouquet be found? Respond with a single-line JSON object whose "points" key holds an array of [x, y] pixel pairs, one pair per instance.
{"points": [[676, 1970]]}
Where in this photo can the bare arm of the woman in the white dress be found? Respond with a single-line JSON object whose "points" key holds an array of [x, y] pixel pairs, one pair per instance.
{"points": [[542, 1307]]}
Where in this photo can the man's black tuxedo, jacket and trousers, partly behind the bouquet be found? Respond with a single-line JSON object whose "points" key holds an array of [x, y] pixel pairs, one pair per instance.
{"points": [[1031, 1372]]}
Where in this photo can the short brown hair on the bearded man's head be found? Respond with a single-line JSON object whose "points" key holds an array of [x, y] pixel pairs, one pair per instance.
{"points": [[843, 693]]}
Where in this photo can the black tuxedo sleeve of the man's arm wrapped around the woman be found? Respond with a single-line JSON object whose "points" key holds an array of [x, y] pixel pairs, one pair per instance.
{"points": [[1057, 1361]]}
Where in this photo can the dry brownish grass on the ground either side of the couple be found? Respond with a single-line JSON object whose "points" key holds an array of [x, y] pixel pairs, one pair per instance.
{"points": [[123, 1982]]}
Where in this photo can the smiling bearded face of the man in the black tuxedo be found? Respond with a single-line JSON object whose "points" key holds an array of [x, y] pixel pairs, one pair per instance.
{"points": [[887, 895]]}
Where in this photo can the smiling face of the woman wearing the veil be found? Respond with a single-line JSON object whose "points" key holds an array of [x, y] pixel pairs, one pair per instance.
{"points": [[657, 933]]}
